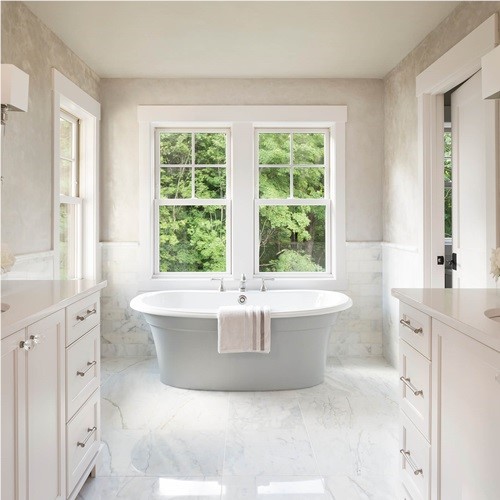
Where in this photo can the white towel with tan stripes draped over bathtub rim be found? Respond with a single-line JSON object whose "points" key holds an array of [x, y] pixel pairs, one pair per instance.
{"points": [[244, 329]]}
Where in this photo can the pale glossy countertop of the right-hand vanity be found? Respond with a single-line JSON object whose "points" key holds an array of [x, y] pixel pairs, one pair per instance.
{"points": [[460, 308]]}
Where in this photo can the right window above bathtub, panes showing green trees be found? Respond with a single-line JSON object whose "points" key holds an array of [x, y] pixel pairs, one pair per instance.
{"points": [[293, 201]]}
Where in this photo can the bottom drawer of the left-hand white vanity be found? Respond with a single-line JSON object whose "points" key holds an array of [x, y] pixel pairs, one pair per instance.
{"points": [[82, 440]]}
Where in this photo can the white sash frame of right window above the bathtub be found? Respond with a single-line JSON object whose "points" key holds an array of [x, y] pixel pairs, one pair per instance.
{"points": [[325, 201]]}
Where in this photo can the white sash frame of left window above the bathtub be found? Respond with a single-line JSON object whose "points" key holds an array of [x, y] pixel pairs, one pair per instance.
{"points": [[192, 202]]}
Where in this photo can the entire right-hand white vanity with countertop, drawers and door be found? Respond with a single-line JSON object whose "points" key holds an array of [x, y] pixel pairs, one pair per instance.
{"points": [[449, 367]]}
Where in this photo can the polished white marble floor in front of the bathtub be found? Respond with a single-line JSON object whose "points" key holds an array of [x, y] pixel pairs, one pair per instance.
{"points": [[338, 440]]}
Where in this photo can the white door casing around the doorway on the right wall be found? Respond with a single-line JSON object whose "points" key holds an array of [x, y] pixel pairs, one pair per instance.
{"points": [[451, 69]]}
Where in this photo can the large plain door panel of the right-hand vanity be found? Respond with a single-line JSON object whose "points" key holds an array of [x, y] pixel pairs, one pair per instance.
{"points": [[469, 434]]}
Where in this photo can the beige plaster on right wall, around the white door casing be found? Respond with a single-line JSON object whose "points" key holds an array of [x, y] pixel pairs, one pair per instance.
{"points": [[401, 156]]}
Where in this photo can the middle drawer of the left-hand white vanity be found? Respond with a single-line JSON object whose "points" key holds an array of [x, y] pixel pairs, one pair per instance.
{"points": [[82, 370]]}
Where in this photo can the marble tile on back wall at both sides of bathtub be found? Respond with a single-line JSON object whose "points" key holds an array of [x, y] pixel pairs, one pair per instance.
{"points": [[358, 331]]}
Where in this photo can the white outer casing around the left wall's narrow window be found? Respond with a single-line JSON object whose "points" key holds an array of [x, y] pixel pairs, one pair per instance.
{"points": [[68, 97]]}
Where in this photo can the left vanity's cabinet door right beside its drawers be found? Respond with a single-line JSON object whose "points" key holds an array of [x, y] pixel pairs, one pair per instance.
{"points": [[45, 386]]}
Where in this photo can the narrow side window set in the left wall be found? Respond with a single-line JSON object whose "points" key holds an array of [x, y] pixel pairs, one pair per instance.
{"points": [[70, 203]]}
